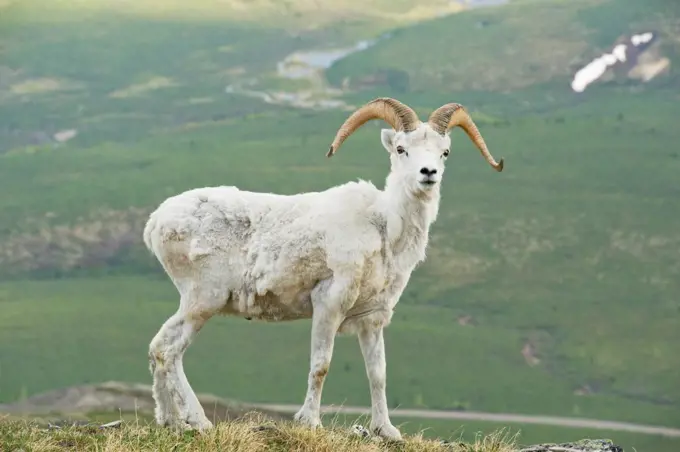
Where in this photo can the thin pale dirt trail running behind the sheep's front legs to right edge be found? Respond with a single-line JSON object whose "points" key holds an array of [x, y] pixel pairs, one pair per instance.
{"points": [[494, 417]]}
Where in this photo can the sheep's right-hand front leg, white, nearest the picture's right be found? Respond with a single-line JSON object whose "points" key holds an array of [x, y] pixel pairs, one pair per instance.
{"points": [[372, 346]]}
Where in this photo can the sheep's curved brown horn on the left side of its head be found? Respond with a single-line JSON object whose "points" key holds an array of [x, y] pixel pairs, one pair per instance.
{"points": [[393, 112]]}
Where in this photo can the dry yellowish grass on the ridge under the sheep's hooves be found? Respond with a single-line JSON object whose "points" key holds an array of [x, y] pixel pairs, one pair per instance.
{"points": [[252, 433]]}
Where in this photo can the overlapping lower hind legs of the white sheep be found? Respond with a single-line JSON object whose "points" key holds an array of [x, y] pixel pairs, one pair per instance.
{"points": [[167, 350]]}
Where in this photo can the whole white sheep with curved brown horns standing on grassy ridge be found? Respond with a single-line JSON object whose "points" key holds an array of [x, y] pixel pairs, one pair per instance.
{"points": [[341, 257]]}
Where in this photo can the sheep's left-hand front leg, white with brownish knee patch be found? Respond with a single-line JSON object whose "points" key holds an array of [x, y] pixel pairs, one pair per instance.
{"points": [[325, 324]]}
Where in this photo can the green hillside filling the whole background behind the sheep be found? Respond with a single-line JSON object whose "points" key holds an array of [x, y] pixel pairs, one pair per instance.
{"points": [[550, 288]]}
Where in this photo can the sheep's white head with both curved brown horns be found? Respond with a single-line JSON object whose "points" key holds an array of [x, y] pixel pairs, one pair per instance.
{"points": [[418, 150]]}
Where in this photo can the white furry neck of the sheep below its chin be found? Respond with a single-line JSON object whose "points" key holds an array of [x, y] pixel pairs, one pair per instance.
{"points": [[409, 216]]}
